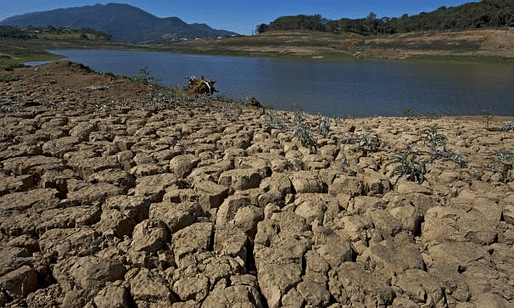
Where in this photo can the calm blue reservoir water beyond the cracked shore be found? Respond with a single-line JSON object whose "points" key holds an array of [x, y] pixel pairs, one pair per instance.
{"points": [[358, 88]]}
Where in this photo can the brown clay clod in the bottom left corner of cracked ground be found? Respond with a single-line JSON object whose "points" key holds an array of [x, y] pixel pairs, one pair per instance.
{"points": [[20, 282]]}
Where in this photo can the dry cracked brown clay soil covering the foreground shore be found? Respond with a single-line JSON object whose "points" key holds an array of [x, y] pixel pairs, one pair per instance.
{"points": [[111, 199]]}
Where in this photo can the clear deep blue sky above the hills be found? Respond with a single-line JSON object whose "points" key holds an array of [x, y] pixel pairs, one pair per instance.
{"points": [[244, 16]]}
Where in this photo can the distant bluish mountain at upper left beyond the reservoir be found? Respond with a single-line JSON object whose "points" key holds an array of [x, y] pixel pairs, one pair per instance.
{"points": [[124, 22]]}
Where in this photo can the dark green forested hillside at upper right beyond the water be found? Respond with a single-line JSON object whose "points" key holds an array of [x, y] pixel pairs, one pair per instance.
{"points": [[483, 14]]}
